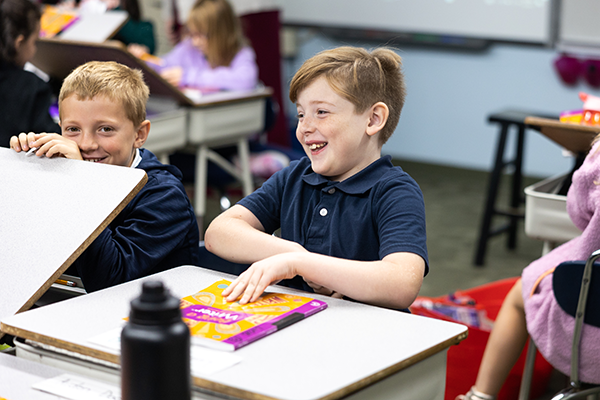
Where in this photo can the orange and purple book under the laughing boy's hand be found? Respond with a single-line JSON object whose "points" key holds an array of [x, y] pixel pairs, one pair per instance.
{"points": [[215, 323]]}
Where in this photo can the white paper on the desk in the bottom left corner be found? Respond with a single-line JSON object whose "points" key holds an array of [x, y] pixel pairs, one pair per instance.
{"points": [[78, 388]]}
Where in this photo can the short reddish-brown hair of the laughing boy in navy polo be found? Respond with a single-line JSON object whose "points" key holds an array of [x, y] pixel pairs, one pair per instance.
{"points": [[362, 77]]}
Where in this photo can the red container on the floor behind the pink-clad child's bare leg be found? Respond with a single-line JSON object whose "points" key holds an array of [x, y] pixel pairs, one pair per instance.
{"points": [[464, 359]]}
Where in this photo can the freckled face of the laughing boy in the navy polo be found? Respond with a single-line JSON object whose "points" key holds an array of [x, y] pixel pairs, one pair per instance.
{"points": [[332, 134]]}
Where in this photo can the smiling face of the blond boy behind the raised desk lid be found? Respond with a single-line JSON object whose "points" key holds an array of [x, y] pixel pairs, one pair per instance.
{"points": [[101, 129]]}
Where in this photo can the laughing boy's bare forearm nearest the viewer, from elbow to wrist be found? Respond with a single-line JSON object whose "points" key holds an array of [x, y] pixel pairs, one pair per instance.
{"points": [[393, 282]]}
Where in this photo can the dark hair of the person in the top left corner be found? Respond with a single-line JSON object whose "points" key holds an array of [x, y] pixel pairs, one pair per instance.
{"points": [[17, 17]]}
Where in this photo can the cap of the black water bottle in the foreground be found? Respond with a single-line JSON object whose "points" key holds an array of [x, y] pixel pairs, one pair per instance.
{"points": [[155, 305]]}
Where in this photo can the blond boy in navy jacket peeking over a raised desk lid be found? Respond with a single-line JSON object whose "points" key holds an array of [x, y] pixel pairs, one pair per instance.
{"points": [[102, 107]]}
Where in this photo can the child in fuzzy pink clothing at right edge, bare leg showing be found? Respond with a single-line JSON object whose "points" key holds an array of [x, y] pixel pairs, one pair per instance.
{"points": [[531, 308]]}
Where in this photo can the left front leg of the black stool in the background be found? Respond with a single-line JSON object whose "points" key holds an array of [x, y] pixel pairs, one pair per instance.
{"points": [[490, 204]]}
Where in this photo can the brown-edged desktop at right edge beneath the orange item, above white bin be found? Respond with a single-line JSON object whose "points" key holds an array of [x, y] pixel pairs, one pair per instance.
{"points": [[573, 137]]}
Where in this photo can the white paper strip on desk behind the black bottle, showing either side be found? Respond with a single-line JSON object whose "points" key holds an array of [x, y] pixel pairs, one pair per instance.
{"points": [[204, 361]]}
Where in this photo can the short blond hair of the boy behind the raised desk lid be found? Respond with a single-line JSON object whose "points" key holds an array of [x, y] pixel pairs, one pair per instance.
{"points": [[113, 80]]}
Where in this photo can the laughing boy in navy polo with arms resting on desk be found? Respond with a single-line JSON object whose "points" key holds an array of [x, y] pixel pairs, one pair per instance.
{"points": [[352, 224]]}
